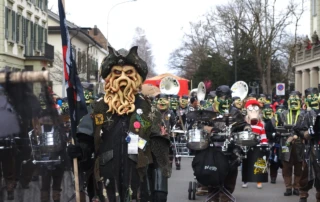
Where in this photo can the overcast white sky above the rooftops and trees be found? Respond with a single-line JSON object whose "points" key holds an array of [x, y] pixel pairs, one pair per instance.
{"points": [[164, 21]]}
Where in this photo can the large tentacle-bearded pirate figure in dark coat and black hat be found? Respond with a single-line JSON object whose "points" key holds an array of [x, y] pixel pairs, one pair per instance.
{"points": [[128, 139]]}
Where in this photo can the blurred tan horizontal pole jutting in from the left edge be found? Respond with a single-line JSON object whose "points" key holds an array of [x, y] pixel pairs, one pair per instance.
{"points": [[24, 77]]}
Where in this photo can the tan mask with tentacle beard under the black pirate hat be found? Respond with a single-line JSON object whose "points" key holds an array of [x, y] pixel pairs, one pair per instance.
{"points": [[121, 85]]}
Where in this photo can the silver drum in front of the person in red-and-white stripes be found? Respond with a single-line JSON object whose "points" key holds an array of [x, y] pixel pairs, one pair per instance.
{"points": [[246, 138]]}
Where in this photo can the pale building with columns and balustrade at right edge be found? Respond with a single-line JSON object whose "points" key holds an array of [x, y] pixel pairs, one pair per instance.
{"points": [[307, 60]]}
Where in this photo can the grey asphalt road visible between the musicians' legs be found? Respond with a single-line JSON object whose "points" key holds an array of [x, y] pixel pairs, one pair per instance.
{"points": [[179, 182]]}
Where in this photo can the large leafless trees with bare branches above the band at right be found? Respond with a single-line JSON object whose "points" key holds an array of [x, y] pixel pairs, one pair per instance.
{"points": [[262, 27]]}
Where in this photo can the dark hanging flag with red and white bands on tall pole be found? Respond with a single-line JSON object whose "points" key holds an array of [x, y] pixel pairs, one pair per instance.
{"points": [[74, 88]]}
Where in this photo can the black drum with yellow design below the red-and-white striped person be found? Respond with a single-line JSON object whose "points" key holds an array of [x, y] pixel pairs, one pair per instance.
{"points": [[255, 166]]}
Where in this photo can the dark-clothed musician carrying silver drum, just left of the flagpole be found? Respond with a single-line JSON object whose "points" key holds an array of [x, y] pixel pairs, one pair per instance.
{"points": [[51, 135]]}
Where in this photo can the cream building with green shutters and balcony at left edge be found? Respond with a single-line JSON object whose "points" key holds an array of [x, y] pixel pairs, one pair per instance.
{"points": [[23, 36]]}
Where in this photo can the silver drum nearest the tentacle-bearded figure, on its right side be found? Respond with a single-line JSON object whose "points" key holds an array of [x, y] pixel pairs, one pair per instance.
{"points": [[197, 139]]}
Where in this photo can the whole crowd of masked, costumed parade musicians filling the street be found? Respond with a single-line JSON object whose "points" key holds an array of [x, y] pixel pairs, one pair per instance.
{"points": [[126, 145]]}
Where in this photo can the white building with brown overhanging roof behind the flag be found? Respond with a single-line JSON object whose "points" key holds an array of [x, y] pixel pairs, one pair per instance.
{"points": [[88, 50]]}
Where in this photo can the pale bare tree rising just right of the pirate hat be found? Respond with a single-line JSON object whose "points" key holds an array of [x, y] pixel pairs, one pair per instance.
{"points": [[144, 50]]}
